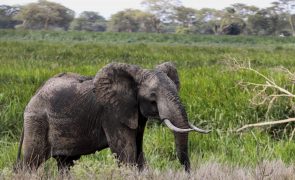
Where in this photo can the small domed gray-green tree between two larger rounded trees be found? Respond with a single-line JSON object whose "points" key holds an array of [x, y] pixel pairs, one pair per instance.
{"points": [[89, 21]]}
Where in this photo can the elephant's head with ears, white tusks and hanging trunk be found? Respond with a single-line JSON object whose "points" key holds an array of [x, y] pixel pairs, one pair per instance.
{"points": [[155, 92]]}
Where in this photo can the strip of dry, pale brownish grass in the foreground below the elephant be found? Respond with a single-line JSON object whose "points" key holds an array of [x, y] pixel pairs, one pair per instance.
{"points": [[275, 170]]}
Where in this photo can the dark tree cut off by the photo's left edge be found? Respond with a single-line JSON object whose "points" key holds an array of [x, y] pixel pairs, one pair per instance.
{"points": [[6, 16]]}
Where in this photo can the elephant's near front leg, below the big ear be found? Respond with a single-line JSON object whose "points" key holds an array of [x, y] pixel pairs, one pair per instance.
{"points": [[122, 142]]}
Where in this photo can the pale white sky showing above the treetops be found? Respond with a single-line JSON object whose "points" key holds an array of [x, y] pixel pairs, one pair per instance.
{"points": [[108, 7]]}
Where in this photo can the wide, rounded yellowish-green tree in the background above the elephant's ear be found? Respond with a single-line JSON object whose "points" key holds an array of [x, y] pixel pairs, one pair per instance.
{"points": [[133, 20]]}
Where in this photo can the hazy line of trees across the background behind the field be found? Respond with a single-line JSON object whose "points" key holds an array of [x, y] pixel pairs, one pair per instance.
{"points": [[162, 16]]}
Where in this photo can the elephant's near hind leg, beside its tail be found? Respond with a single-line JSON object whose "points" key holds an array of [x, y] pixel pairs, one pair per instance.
{"points": [[36, 146]]}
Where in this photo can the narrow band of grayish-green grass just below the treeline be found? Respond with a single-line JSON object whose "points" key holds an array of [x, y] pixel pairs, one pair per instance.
{"points": [[131, 38]]}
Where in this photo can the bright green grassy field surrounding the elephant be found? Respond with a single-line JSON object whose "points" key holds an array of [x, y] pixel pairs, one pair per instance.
{"points": [[209, 91]]}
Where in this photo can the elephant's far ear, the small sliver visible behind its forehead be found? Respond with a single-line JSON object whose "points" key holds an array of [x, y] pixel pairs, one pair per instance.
{"points": [[171, 71]]}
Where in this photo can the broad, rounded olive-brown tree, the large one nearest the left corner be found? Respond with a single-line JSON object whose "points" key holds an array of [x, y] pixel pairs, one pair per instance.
{"points": [[45, 15]]}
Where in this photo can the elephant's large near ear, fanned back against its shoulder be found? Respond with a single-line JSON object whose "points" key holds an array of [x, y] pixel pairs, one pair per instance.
{"points": [[116, 90]]}
